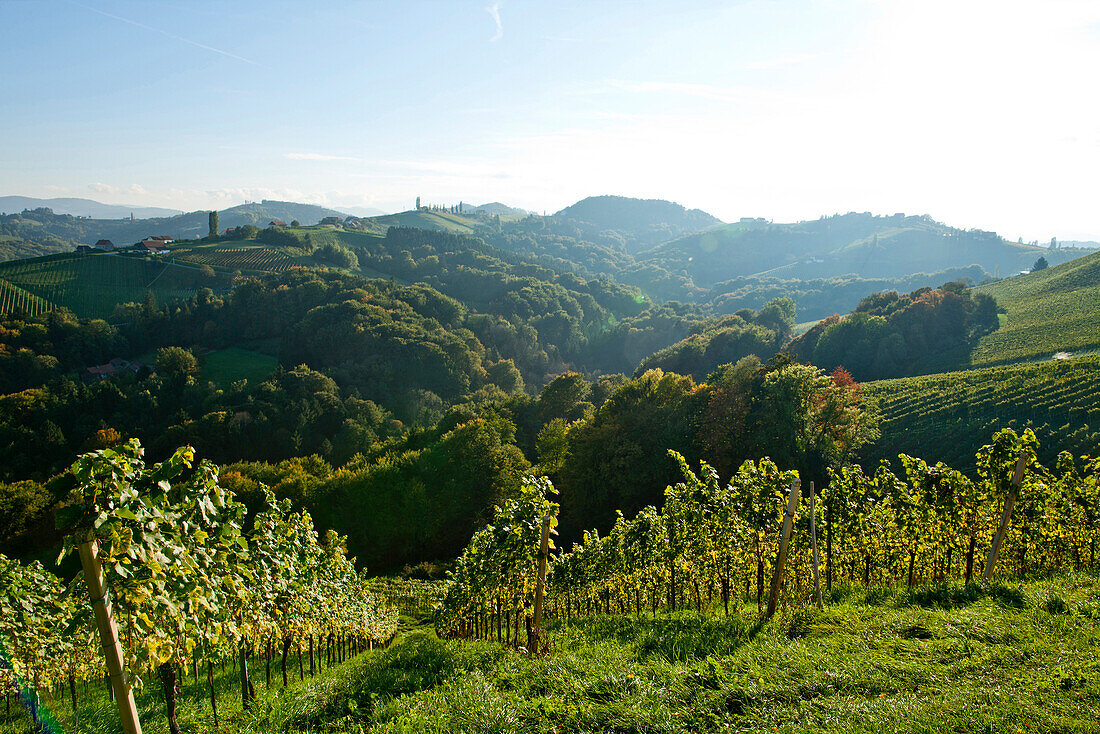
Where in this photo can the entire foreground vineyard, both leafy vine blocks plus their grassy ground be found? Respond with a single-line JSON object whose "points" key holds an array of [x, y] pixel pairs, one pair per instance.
{"points": [[636, 629]]}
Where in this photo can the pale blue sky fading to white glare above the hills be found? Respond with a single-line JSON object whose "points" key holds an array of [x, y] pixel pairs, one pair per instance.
{"points": [[983, 115]]}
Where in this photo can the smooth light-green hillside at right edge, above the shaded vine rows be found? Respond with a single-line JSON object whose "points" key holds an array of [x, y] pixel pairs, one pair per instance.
{"points": [[1048, 312]]}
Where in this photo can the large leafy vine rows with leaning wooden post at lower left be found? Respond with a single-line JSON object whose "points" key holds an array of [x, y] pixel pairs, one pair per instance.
{"points": [[173, 576]]}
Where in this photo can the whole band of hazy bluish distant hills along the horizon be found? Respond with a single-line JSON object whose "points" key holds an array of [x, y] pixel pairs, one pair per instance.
{"points": [[666, 250]]}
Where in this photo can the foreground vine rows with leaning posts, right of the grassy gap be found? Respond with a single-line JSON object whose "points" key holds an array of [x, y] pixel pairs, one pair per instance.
{"points": [[711, 544]]}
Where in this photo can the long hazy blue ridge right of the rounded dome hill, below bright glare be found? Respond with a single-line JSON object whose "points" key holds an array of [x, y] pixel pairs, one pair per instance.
{"points": [[864, 245]]}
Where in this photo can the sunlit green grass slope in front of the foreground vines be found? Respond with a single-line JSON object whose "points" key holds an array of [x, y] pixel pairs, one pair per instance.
{"points": [[1020, 658]]}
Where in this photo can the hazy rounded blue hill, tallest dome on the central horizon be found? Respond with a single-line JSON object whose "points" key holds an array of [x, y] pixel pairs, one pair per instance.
{"points": [[642, 223]]}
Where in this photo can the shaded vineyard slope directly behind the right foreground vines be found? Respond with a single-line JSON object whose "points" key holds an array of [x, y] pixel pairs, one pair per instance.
{"points": [[939, 417]]}
